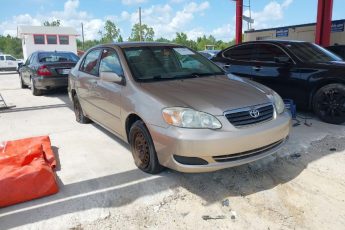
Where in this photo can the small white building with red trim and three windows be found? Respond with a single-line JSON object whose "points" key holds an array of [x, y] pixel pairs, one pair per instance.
{"points": [[47, 38]]}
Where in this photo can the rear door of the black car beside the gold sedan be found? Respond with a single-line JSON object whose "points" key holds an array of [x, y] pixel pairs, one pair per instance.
{"points": [[236, 60]]}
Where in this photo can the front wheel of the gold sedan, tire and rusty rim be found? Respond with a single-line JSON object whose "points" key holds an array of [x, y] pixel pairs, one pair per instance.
{"points": [[143, 150]]}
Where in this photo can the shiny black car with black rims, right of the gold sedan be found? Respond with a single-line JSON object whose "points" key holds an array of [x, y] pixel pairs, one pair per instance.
{"points": [[304, 72]]}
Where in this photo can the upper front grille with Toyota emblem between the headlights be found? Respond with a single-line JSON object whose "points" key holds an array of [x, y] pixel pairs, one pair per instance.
{"points": [[243, 117]]}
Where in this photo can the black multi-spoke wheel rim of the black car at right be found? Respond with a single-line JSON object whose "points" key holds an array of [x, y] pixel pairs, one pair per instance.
{"points": [[332, 103]]}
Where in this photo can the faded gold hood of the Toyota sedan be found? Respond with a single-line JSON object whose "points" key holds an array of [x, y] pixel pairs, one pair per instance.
{"points": [[213, 95]]}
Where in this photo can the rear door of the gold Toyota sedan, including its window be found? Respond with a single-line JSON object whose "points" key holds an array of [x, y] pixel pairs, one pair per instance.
{"points": [[87, 81]]}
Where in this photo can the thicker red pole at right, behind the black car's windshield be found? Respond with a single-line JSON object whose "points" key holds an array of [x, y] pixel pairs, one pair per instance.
{"points": [[324, 22]]}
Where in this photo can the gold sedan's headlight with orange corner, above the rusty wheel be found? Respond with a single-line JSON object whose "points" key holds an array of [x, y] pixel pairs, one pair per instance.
{"points": [[189, 118]]}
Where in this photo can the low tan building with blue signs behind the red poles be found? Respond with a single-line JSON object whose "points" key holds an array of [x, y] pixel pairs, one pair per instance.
{"points": [[304, 32]]}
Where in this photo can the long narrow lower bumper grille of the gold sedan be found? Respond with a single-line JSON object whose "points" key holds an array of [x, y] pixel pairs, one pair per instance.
{"points": [[251, 153]]}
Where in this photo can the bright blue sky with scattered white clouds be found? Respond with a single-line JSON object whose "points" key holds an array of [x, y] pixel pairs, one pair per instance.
{"points": [[195, 18]]}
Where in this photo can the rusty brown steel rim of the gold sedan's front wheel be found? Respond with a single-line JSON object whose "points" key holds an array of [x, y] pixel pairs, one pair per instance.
{"points": [[141, 150]]}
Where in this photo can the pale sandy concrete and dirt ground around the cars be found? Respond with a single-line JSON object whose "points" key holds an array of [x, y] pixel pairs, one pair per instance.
{"points": [[300, 187]]}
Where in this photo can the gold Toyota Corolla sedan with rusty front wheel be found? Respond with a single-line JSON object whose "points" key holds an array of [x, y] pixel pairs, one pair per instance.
{"points": [[176, 108]]}
